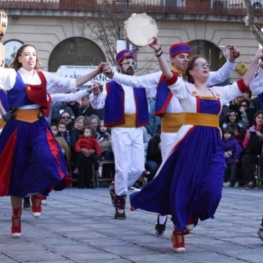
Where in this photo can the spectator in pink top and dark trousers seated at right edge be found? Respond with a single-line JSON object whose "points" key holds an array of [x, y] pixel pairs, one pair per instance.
{"points": [[253, 144]]}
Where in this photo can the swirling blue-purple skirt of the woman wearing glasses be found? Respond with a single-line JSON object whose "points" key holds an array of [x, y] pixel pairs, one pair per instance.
{"points": [[189, 183]]}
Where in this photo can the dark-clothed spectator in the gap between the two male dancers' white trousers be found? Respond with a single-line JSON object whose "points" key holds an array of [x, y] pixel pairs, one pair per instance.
{"points": [[154, 156]]}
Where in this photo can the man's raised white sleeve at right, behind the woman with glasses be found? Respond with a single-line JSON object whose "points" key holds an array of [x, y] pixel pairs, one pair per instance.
{"points": [[216, 77]]}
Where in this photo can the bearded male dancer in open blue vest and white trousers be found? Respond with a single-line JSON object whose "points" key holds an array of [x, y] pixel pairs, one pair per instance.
{"points": [[126, 110]]}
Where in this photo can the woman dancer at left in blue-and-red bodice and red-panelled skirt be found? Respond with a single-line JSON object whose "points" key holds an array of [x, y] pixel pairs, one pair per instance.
{"points": [[26, 142]]}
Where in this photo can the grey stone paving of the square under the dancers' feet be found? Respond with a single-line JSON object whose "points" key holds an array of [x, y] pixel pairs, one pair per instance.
{"points": [[77, 226]]}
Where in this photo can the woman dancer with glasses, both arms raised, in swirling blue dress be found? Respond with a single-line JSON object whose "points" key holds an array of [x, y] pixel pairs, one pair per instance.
{"points": [[189, 182]]}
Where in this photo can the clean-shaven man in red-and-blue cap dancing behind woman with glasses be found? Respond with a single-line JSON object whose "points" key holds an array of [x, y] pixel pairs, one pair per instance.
{"points": [[168, 106]]}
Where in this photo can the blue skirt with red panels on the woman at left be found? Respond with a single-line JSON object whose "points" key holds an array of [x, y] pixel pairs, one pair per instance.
{"points": [[31, 159]]}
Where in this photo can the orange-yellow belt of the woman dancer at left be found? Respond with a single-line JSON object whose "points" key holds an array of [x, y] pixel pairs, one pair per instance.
{"points": [[27, 115]]}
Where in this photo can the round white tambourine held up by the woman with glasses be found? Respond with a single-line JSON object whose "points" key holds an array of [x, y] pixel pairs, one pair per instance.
{"points": [[140, 29]]}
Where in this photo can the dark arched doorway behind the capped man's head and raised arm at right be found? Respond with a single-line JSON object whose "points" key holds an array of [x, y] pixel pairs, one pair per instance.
{"points": [[210, 51]]}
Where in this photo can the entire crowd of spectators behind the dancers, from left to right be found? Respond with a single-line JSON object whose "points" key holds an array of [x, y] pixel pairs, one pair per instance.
{"points": [[241, 124]]}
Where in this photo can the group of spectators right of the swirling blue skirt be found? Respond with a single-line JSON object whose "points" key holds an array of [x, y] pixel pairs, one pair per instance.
{"points": [[241, 123]]}
